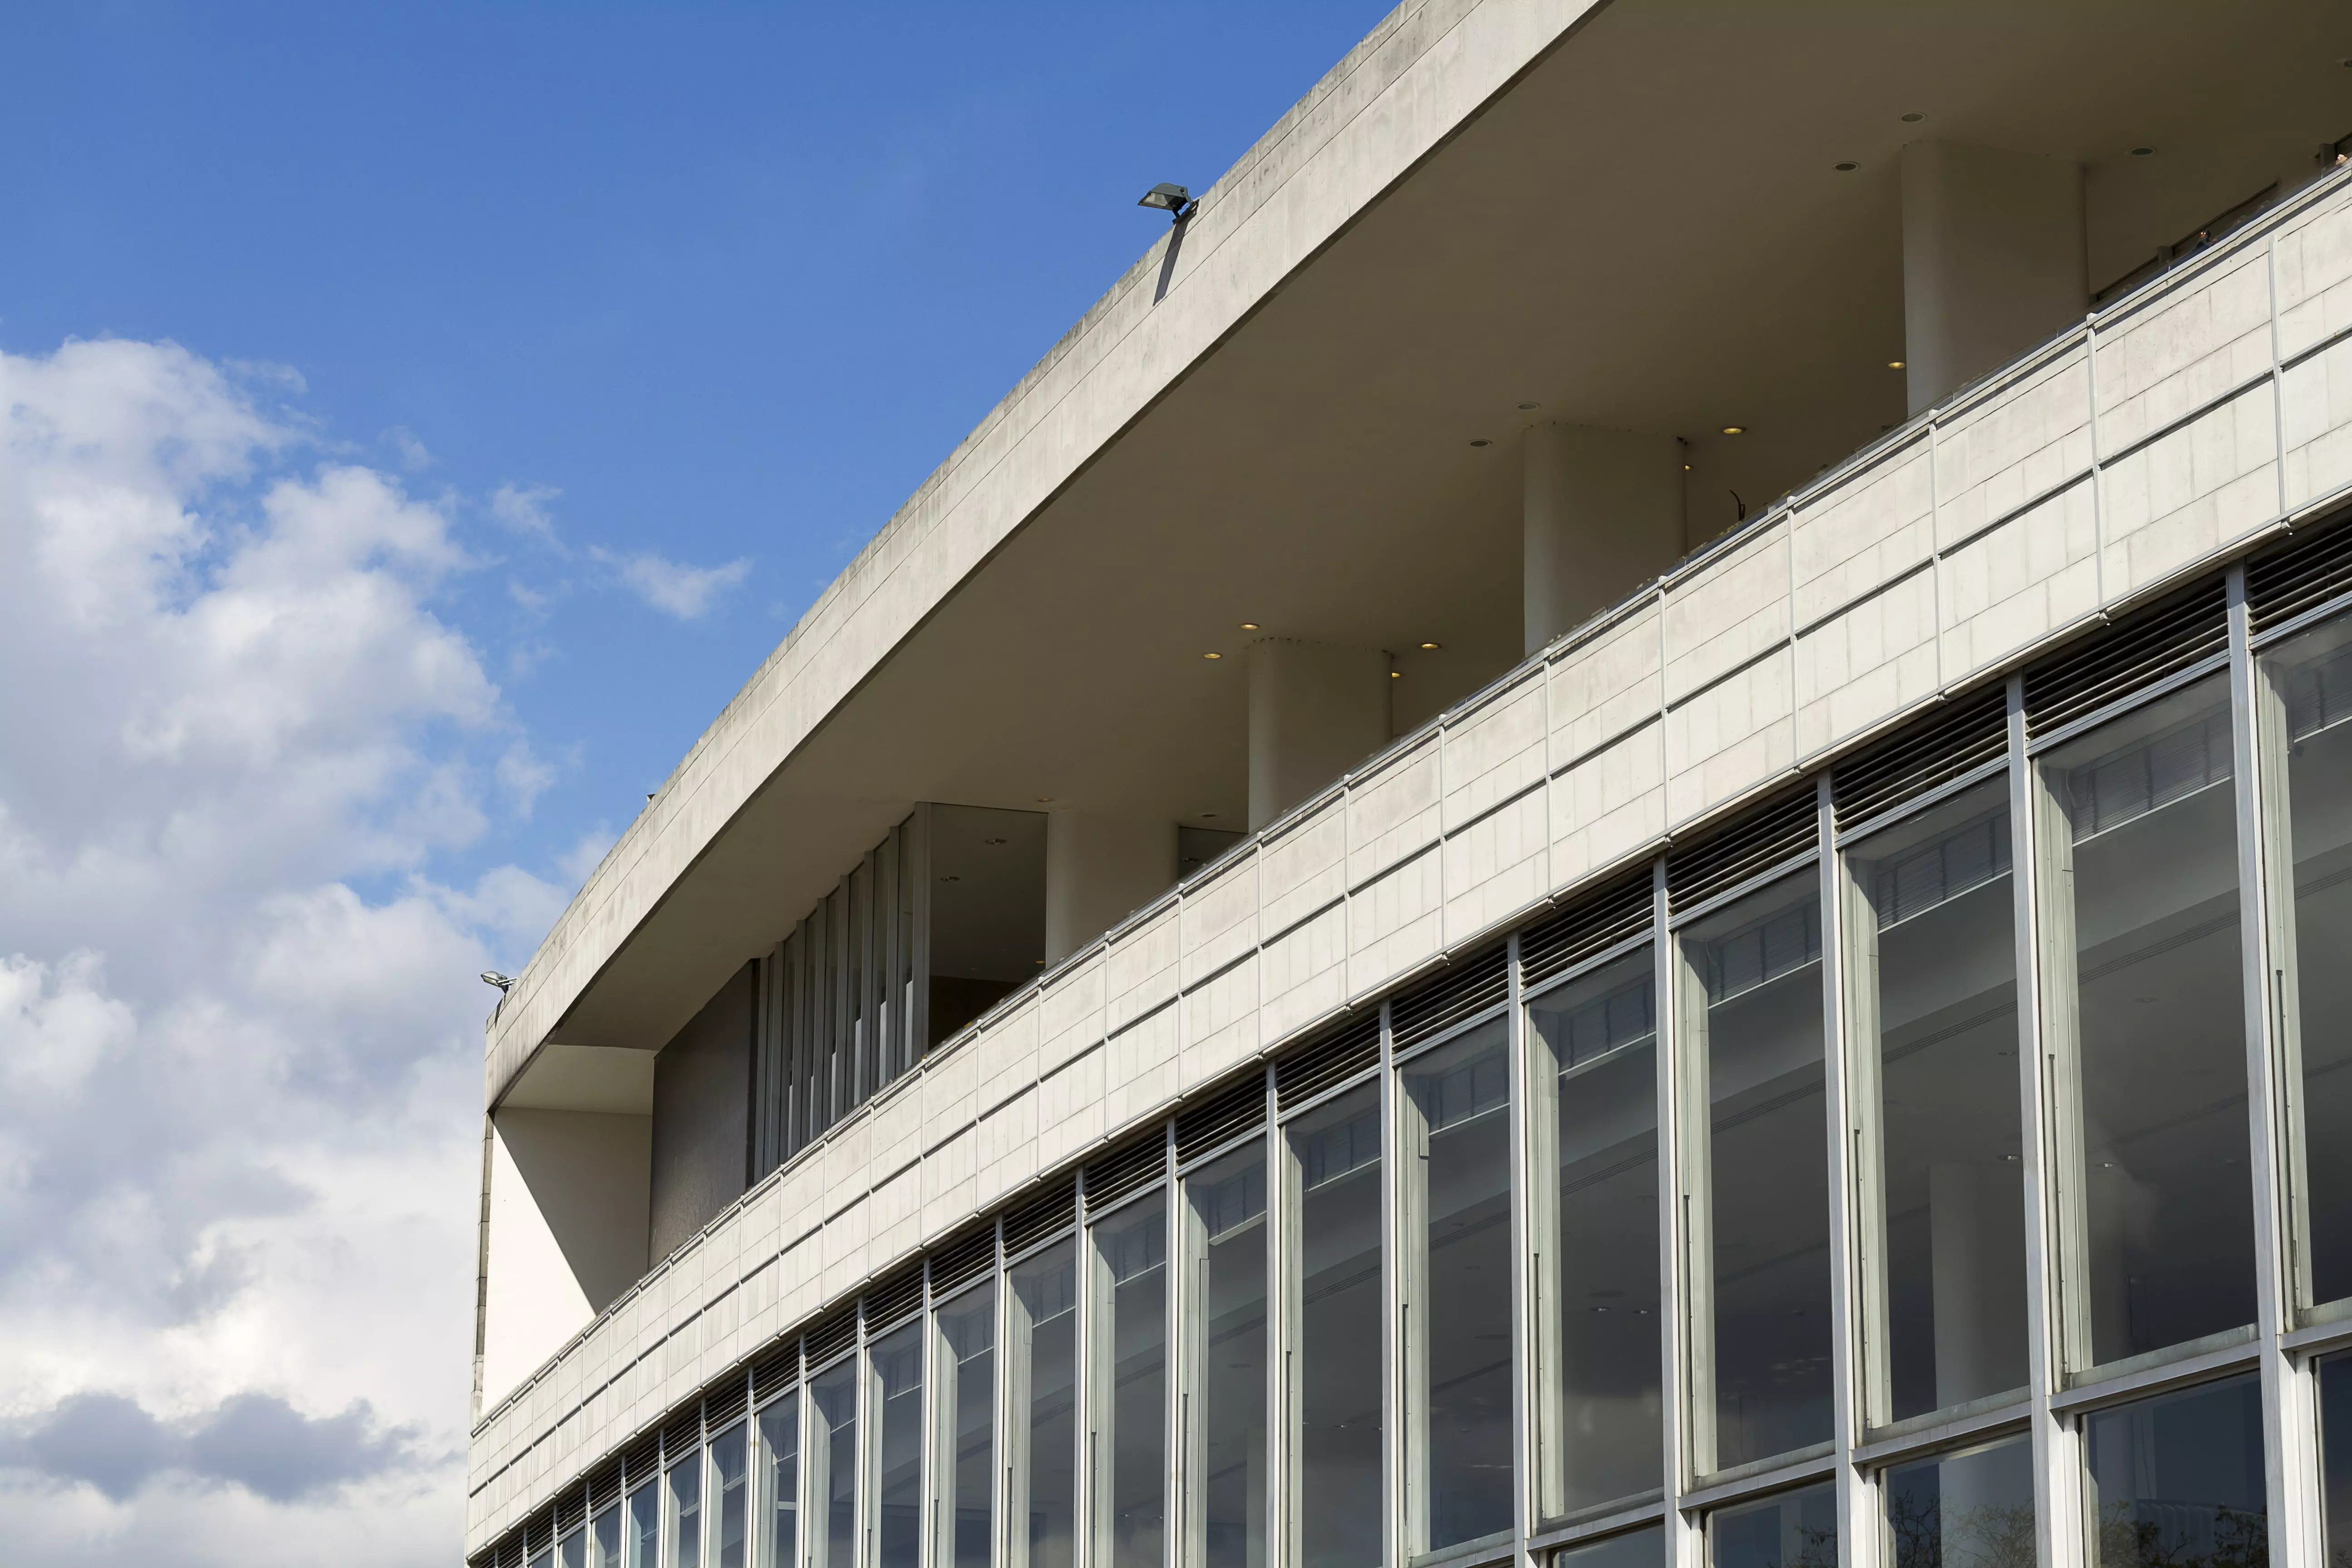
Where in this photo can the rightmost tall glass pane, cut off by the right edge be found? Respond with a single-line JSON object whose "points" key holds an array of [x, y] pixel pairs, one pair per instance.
{"points": [[2311, 697]]}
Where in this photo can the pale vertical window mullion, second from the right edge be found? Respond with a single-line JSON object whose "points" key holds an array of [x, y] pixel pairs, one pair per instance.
{"points": [[2059, 1529]]}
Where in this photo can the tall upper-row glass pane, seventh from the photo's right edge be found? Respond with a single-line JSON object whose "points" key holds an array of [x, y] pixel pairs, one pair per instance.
{"points": [[1337, 1438]]}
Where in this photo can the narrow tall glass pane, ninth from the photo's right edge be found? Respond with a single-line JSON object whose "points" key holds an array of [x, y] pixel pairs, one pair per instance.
{"points": [[1130, 1405]]}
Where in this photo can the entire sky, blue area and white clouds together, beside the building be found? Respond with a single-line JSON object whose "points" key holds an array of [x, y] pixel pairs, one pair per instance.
{"points": [[415, 424]]}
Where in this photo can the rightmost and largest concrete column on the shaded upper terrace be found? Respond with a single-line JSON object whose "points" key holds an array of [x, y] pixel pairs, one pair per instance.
{"points": [[1993, 260]]}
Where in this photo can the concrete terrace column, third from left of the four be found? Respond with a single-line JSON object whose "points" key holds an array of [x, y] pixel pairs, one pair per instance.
{"points": [[1601, 516]]}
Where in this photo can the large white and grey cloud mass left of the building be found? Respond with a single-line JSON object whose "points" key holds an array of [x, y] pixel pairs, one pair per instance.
{"points": [[239, 1090]]}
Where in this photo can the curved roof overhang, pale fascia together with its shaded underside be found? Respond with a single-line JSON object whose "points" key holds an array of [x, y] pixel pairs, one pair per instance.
{"points": [[1626, 217]]}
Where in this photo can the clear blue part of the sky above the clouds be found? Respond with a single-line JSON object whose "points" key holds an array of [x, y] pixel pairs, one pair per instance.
{"points": [[728, 279]]}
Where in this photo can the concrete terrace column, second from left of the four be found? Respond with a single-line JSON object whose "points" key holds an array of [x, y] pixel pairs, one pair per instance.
{"points": [[1314, 713]]}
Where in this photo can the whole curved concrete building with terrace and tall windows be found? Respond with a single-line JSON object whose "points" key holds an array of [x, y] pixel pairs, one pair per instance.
{"points": [[1612, 829]]}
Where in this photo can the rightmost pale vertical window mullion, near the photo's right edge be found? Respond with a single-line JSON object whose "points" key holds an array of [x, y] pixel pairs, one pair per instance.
{"points": [[2290, 1398]]}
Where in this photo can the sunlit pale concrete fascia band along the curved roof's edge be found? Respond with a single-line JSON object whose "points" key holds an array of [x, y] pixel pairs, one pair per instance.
{"points": [[1419, 79]]}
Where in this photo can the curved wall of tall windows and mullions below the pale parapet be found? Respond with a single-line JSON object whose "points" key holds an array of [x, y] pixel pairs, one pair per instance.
{"points": [[1476, 1325]]}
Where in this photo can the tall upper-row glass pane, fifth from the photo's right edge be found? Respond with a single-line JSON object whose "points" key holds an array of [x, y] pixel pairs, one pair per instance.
{"points": [[1598, 1247]]}
